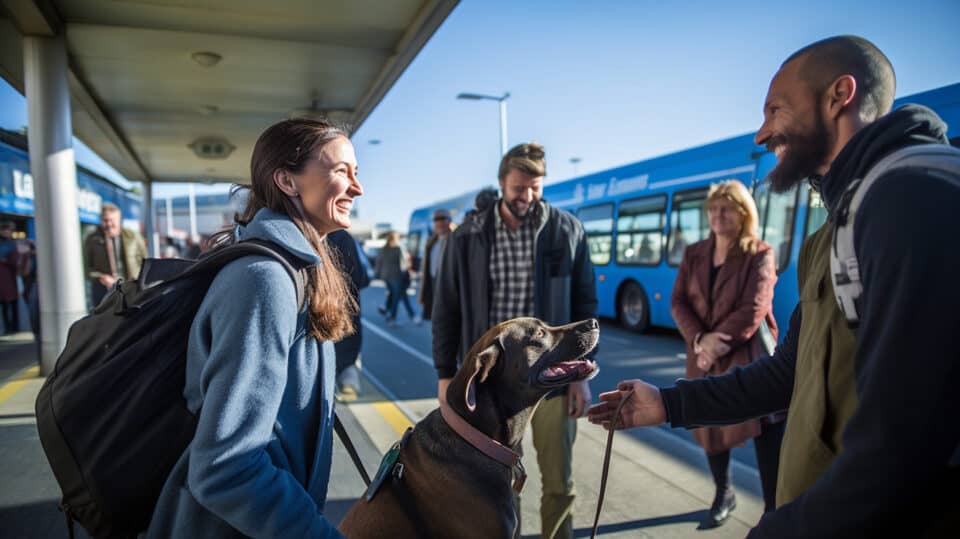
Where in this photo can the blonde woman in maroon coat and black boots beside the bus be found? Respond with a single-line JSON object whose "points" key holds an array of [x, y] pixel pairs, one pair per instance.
{"points": [[722, 296]]}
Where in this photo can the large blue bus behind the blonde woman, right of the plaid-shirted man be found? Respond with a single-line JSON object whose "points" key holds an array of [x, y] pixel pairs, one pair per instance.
{"points": [[640, 217]]}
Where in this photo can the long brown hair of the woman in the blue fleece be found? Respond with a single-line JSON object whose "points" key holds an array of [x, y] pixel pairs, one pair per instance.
{"points": [[289, 145]]}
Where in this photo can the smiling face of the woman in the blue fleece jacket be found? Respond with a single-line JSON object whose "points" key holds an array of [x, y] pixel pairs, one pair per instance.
{"points": [[328, 185]]}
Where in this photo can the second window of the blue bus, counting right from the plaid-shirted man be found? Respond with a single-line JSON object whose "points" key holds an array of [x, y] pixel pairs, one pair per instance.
{"points": [[640, 230]]}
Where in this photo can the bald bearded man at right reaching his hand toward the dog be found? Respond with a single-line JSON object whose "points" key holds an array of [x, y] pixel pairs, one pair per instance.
{"points": [[871, 446]]}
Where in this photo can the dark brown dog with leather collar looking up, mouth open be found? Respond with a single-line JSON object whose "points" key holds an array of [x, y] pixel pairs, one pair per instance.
{"points": [[447, 487]]}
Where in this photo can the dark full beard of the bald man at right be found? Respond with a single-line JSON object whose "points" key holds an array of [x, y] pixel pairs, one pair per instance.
{"points": [[803, 154]]}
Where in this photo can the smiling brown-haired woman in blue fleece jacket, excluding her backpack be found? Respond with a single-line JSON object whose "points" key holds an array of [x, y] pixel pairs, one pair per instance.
{"points": [[257, 377]]}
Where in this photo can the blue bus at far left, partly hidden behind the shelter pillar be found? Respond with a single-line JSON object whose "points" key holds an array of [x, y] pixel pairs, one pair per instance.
{"points": [[93, 190]]}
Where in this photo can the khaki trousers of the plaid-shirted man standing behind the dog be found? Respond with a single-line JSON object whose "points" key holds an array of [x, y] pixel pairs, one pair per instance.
{"points": [[553, 437]]}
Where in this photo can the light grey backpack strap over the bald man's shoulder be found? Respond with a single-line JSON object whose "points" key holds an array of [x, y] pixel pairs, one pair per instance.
{"points": [[844, 267]]}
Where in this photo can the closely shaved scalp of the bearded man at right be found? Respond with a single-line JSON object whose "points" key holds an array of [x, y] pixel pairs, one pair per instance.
{"points": [[824, 61]]}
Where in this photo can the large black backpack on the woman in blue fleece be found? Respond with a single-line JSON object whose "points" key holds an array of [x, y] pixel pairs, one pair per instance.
{"points": [[111, 417]]}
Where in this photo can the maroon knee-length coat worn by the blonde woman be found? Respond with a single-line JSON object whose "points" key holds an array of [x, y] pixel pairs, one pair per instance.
{"points": [[742, 296]]}
